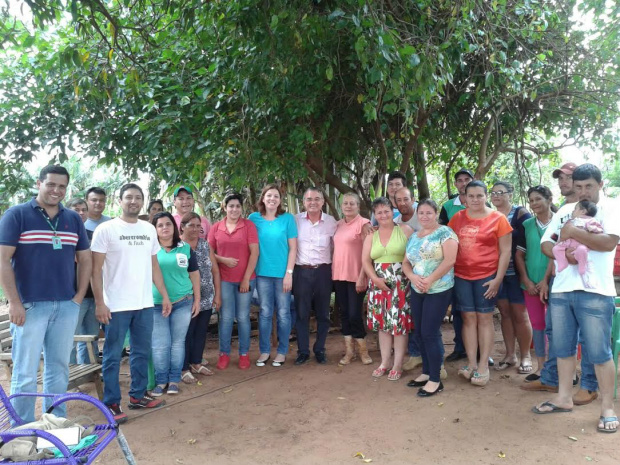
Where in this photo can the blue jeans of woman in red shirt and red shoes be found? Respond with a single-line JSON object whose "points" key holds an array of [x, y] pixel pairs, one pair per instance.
{"points": [[235, 304]]}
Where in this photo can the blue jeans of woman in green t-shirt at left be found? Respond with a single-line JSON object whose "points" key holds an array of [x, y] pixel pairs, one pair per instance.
{"points": [[169, 340]]}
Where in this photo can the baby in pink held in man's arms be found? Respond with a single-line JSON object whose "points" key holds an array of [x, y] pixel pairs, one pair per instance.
{"points": [[582, 218]]}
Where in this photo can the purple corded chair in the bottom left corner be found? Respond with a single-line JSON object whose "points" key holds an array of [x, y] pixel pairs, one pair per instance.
{"points": [[105, 432]]}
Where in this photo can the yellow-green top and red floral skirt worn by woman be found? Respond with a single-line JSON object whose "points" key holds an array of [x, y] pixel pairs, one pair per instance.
{"points": [[389, 310]]}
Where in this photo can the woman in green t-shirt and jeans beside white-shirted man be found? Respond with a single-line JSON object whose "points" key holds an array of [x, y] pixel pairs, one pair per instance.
{"points": [[179, 269]]}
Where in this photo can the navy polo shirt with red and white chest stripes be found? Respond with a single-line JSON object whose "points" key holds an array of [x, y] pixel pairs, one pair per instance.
{"points": [[41, 271]]}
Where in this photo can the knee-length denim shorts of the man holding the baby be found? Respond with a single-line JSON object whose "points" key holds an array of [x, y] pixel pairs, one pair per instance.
{"points": [[585, 313]]}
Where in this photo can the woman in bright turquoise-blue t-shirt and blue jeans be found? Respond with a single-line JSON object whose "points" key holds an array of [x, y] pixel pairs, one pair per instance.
{"points": [[277, 241]]}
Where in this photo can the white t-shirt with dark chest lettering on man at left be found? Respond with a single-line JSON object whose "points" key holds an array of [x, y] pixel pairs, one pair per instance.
{"points": [[127, 269]]}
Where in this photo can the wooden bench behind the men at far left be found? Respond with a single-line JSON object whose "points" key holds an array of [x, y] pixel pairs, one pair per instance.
{"points": [[78, 374]]}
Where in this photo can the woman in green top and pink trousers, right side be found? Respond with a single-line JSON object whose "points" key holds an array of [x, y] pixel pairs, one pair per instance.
{"points": [[532, 266]]}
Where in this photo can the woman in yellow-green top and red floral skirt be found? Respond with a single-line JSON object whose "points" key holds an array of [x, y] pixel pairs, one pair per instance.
{"points": [[388, 309]]}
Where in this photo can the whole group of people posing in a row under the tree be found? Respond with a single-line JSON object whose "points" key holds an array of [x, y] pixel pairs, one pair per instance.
{"points": [[159, 281]]}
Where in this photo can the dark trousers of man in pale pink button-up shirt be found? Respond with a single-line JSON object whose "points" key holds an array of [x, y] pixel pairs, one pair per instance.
{"points": [[312, 288]]}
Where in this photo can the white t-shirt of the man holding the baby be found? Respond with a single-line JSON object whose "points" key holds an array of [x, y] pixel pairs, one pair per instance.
{"points": [[601, 263]]}
